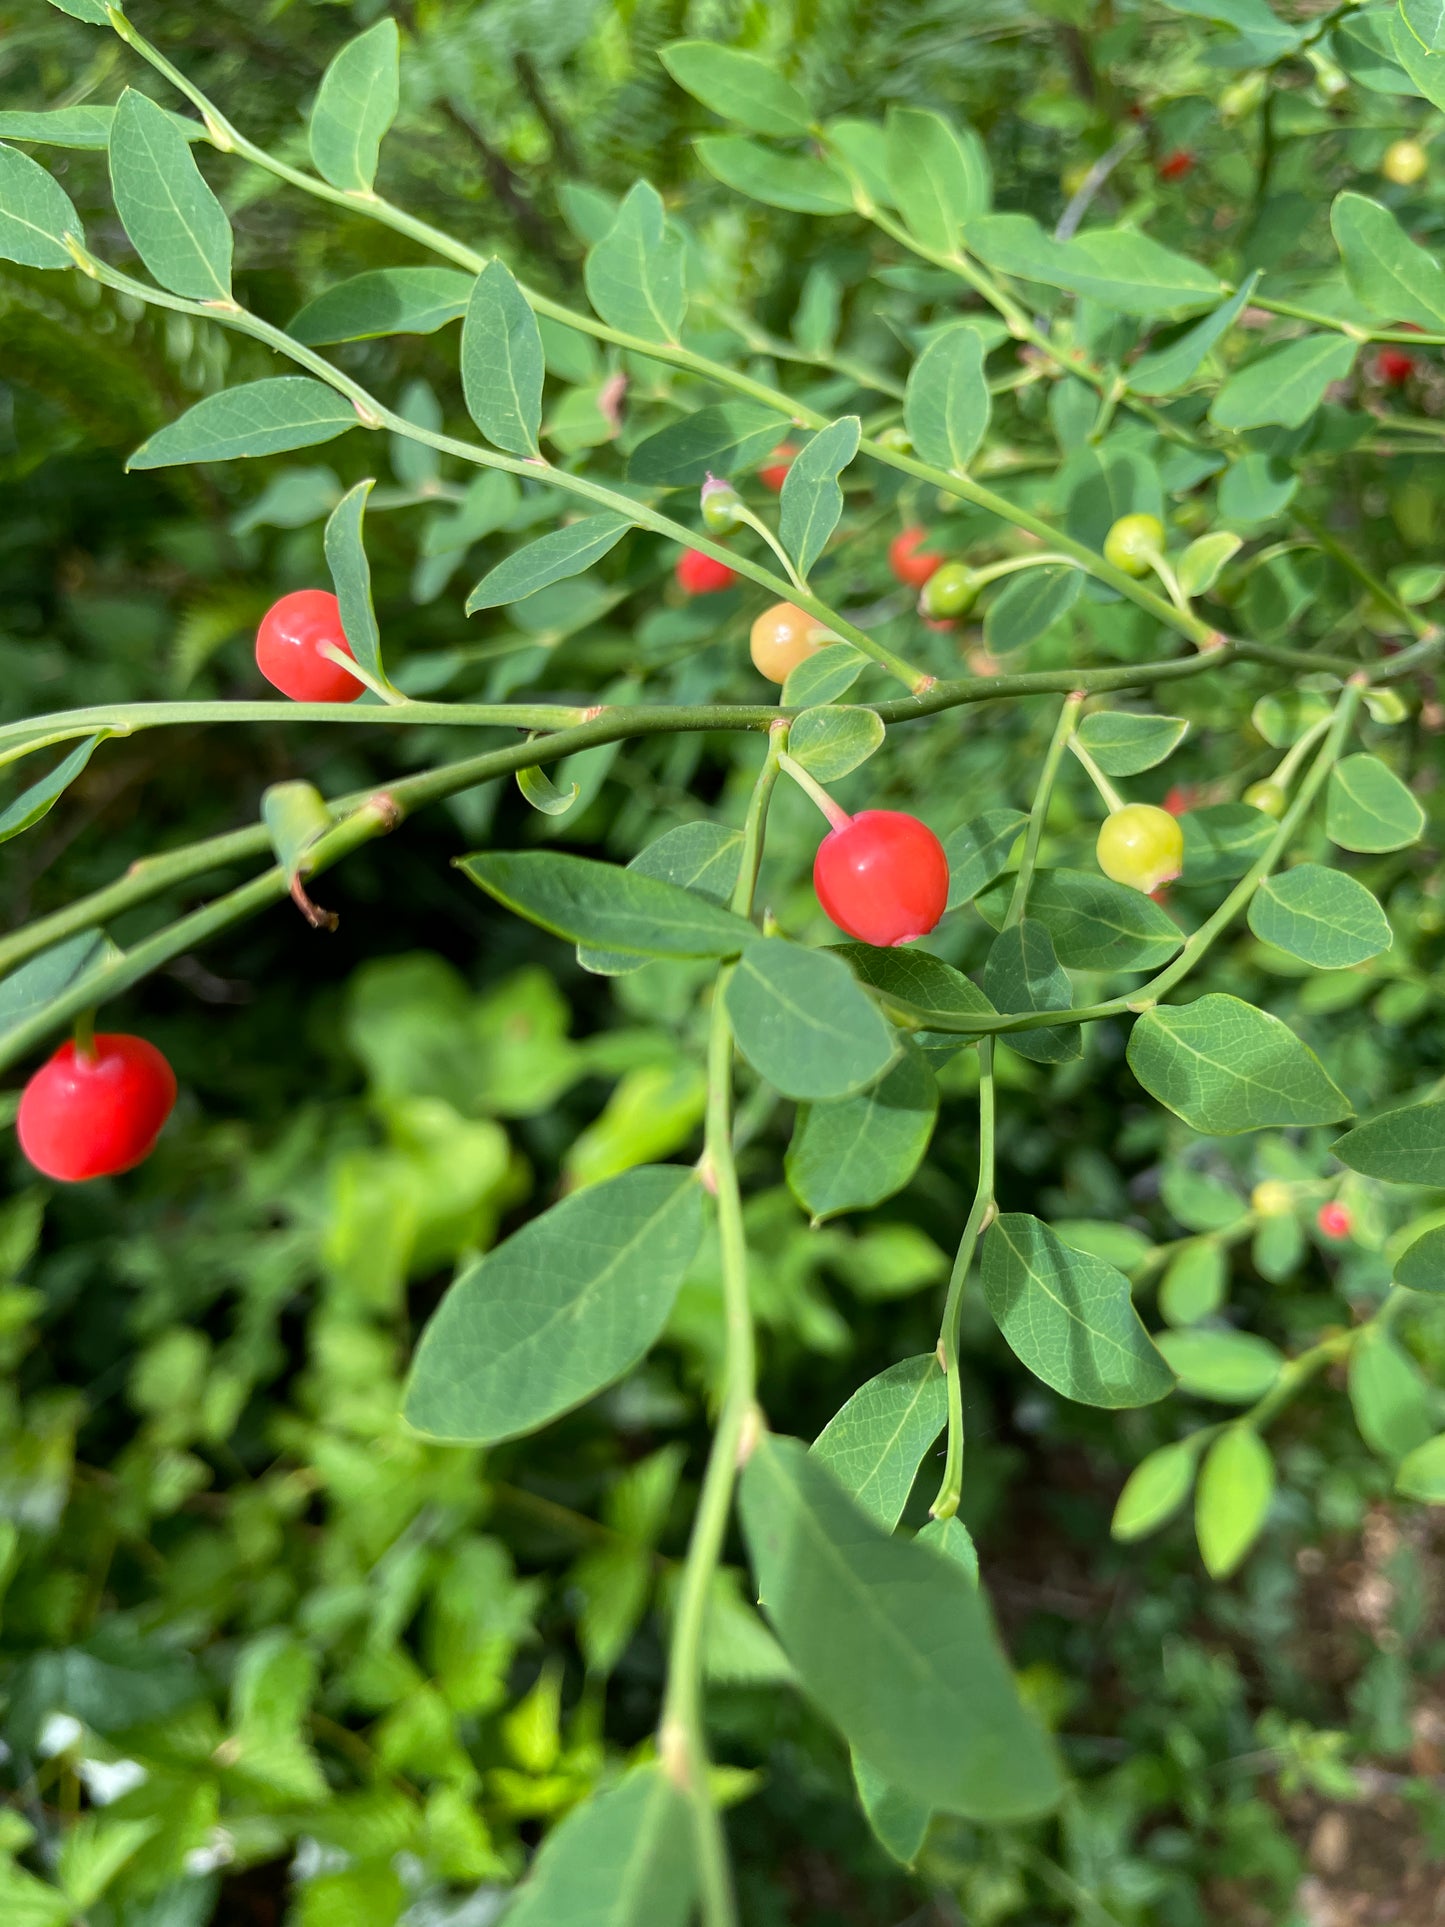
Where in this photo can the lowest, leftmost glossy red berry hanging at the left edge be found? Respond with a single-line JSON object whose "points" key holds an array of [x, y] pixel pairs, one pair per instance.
{"points": [[99, 1113]]}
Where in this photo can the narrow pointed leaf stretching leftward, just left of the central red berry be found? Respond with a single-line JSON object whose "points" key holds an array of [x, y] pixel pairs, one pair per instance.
{"points": [[608, 907]]}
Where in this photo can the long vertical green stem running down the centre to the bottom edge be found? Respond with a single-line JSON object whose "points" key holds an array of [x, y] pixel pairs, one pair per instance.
{"points": [[683, 1739]]}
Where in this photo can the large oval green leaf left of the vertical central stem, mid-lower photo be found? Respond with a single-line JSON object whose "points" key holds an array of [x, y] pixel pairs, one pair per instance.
{"points": [[558, 1311]]}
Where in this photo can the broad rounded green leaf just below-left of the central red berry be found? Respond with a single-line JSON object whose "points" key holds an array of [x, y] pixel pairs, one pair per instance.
{"points": [[804, 1022]]}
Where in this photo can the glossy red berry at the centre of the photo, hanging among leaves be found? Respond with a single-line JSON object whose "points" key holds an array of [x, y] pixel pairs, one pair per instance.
{"points": [[883, 878]]}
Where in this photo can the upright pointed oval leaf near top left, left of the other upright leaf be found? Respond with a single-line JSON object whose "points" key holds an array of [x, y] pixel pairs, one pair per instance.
{"points": [[176, 224]]}
